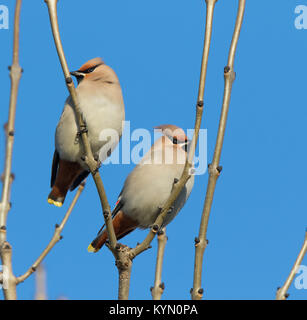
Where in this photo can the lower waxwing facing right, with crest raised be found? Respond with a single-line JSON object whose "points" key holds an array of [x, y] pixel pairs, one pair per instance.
{"points": [[149, 185]]}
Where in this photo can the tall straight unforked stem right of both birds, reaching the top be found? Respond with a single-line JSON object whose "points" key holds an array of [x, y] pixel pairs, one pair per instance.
{"points": [[214, 167]]}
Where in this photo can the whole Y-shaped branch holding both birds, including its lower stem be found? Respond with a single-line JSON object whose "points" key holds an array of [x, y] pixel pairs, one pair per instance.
{"points": [[125, 255]]}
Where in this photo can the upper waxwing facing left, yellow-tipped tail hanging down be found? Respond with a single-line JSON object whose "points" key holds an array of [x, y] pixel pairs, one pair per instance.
{"points": [[102, 108]]}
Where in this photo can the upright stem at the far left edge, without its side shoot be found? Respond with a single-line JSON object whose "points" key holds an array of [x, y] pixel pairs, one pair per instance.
{"points": [[5, 248]]}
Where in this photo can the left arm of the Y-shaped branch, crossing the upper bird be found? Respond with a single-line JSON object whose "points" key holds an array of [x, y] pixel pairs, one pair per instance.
{"points": [[89, 158]]}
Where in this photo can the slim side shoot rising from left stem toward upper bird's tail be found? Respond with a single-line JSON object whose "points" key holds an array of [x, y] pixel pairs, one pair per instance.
{"points": [[56, 237]]}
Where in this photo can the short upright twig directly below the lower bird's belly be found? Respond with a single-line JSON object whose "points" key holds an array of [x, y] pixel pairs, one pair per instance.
{"points": [[159, 286]]}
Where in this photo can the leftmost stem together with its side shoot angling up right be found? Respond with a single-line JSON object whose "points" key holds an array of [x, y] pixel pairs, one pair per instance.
{"points": [[7, 277]]}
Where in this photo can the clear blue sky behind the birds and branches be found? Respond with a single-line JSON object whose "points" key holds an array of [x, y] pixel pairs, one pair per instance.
{"points": [[258, 218]]}
